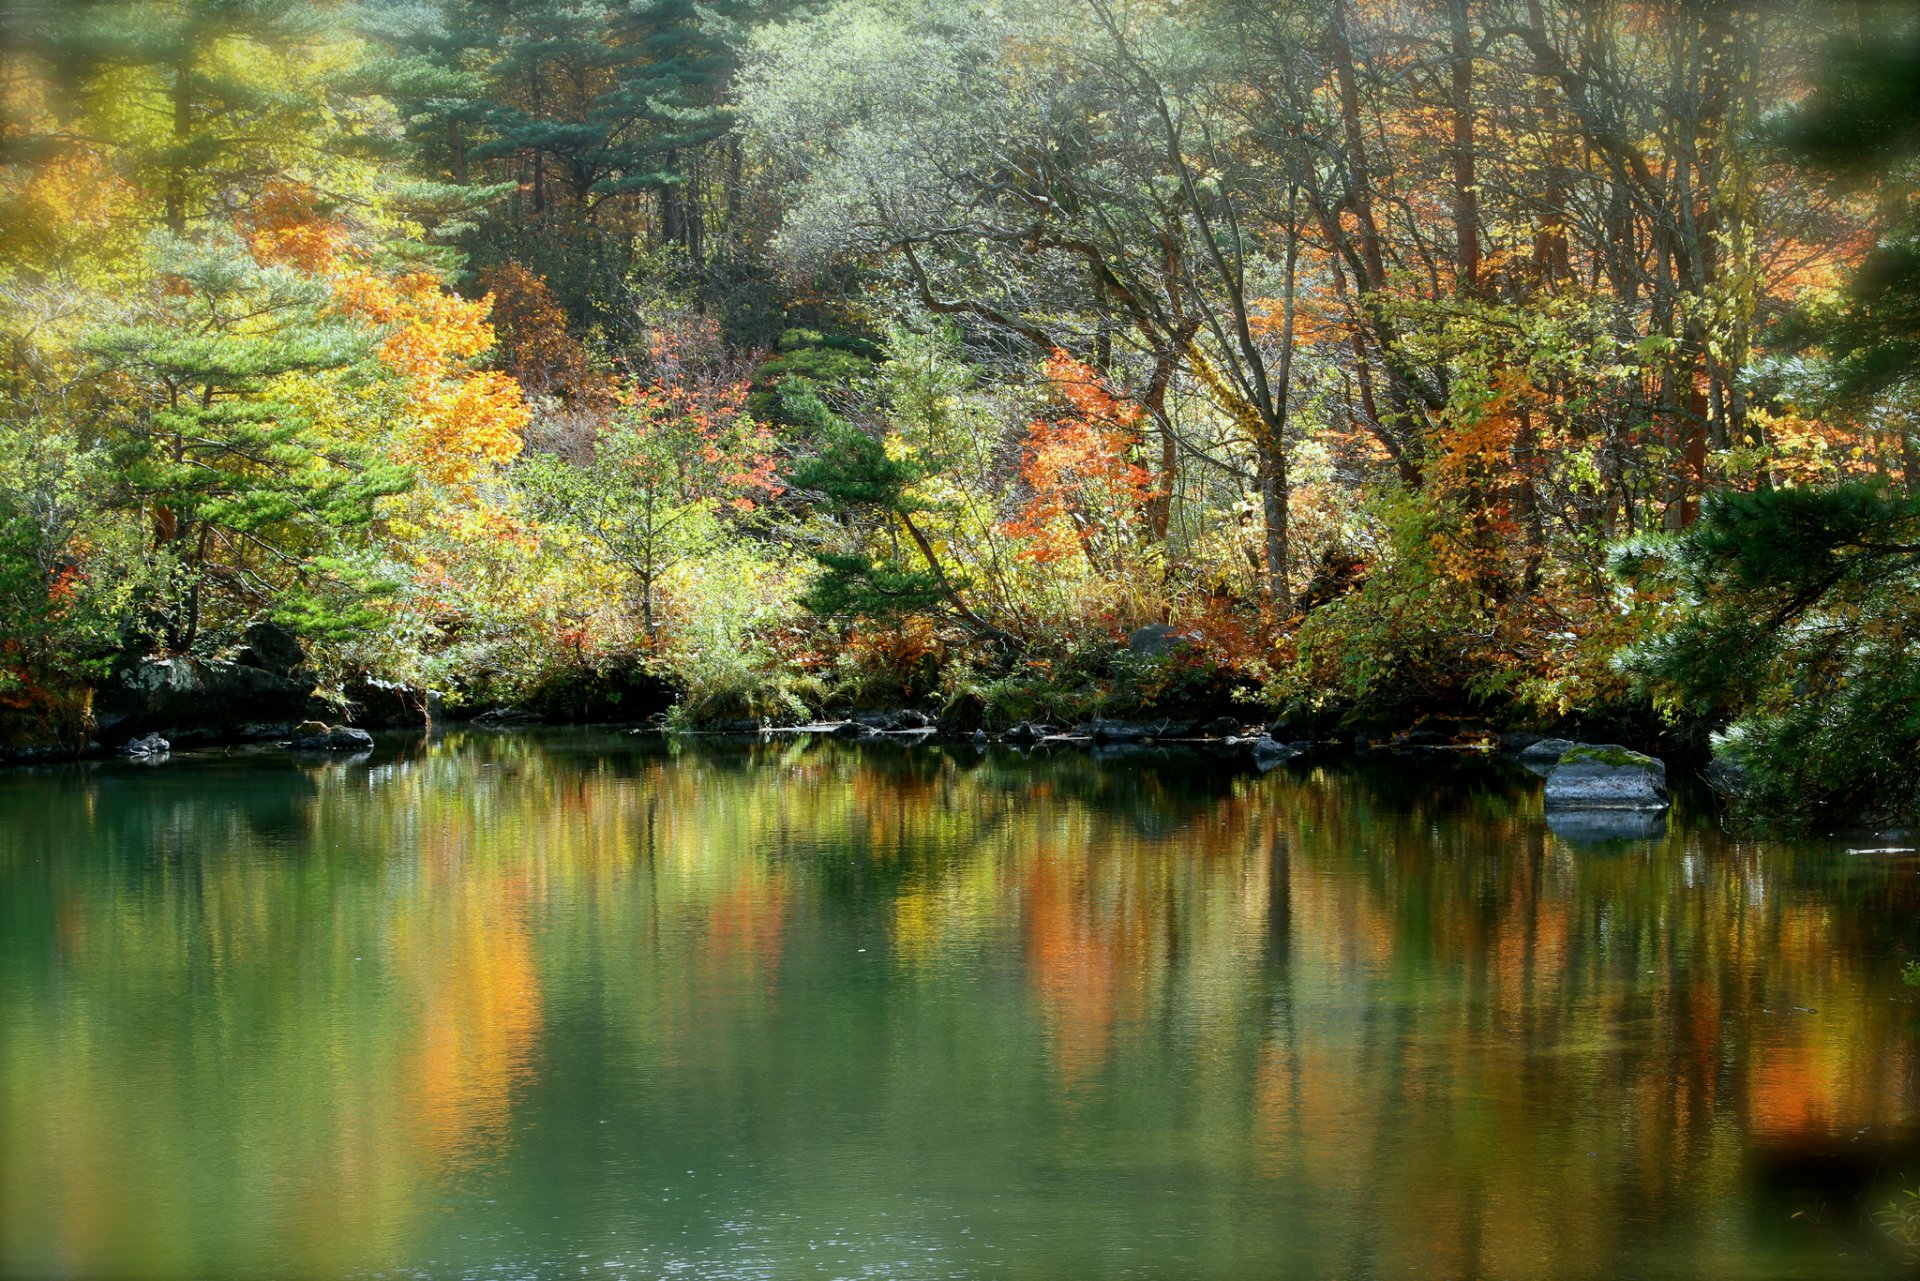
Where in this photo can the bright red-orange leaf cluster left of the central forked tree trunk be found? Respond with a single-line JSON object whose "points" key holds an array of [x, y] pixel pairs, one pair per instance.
{"points": [[1084, 485]]}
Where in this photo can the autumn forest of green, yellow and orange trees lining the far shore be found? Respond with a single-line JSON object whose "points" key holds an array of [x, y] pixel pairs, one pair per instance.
{"points": [[1355, 366]]}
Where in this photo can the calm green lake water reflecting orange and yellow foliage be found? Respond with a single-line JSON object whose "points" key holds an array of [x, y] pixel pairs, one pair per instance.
{"points": [[579, 1003]]}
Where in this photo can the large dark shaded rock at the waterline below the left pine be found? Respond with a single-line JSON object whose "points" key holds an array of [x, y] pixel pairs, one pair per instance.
{"points": [[199, 700]]}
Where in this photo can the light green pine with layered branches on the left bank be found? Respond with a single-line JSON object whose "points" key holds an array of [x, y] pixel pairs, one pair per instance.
{"points": [[252, 504]]}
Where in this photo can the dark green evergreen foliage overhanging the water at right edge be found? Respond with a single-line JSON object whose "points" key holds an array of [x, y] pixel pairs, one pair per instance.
{"points": [[1796, 617]]}
